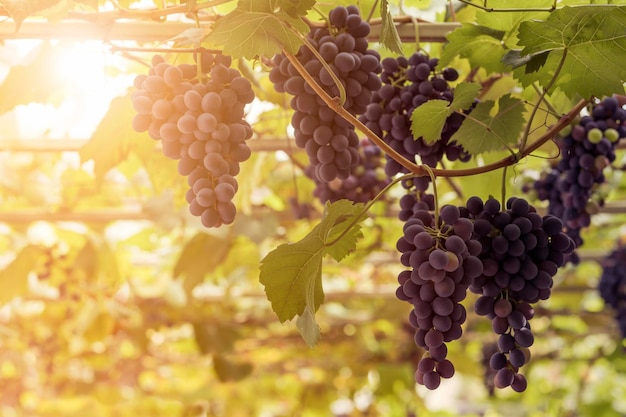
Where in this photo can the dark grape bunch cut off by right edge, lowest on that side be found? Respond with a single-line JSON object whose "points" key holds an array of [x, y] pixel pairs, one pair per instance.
{"points": [[612, 284]]}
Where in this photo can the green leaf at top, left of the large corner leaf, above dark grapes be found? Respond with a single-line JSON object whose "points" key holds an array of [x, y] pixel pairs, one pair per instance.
{"points": [[481, 45]]}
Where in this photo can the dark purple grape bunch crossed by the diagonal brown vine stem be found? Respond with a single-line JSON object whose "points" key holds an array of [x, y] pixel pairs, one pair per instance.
{"points": [[329, 140]]}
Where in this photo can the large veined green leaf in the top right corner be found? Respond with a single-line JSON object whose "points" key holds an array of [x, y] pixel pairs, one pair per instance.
{"points": [[589, 42]]}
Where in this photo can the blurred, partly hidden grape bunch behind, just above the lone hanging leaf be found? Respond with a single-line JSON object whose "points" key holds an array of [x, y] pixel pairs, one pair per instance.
{"points": [[362, 185]]}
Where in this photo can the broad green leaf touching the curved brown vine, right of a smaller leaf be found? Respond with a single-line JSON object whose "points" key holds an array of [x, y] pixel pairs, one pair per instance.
{"points": [[483, 131]]}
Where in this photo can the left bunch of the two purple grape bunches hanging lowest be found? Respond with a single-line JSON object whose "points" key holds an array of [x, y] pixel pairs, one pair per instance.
{"points": [[443, 262]]}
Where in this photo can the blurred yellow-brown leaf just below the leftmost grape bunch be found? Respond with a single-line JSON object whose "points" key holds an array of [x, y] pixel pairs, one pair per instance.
{"points": [[200, 256]]}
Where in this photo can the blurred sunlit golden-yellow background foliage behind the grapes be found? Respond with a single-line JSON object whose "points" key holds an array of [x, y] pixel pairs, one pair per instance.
{"points": [[114, 301]]}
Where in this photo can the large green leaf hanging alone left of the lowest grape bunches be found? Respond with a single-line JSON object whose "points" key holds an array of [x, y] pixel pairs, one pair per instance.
{"points": [[292, 273]]}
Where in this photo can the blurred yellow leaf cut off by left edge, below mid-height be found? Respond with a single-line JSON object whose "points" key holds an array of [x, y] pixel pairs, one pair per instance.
{"points": [[14, 278]]}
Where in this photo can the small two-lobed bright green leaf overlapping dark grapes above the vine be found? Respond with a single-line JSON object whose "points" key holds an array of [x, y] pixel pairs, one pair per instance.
{"points": [[427, 120]]}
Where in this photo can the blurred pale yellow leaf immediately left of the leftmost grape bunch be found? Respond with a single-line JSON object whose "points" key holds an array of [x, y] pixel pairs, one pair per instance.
{"points": [[114, 138]]}
